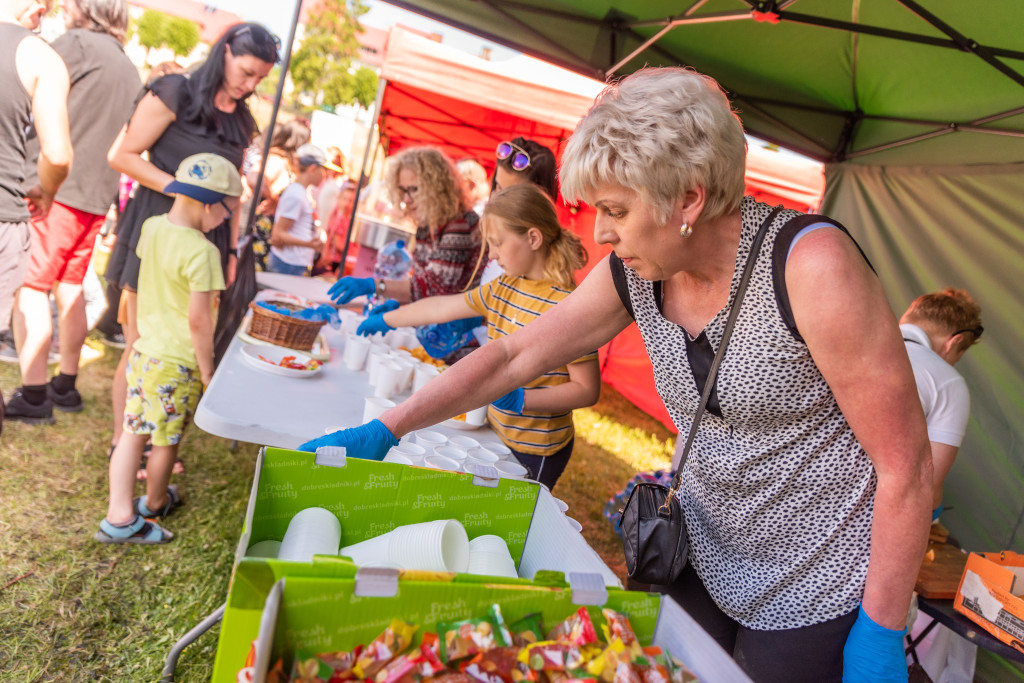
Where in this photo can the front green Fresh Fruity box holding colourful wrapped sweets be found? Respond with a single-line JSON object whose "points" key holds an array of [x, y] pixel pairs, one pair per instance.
{"points": [[330, 615]]}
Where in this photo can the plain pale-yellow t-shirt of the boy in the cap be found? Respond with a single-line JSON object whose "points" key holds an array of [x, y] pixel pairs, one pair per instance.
{"points": [[176, 262]]}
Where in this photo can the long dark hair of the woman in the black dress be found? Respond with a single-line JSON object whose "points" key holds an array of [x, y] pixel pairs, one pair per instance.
{"points": [[204, 82]]}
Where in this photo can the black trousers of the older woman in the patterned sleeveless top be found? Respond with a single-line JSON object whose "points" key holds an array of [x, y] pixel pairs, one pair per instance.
{"points": [[813, 654]]}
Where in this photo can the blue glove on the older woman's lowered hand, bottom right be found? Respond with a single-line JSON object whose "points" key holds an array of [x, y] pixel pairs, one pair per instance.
{"points": [[874, 654]]}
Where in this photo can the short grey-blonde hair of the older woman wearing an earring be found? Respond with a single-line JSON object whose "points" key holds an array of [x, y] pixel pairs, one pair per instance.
{"points": [[660, 133]]}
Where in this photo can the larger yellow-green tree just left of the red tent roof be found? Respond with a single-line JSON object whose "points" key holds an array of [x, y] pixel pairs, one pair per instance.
{"points": [[322, 68]]}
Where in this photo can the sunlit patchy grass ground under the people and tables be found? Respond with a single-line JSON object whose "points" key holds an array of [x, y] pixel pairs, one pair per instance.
{"points": [[72, 610]]}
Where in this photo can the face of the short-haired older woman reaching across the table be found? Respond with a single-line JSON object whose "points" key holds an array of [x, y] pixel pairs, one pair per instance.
{"points": [[645, 244]]}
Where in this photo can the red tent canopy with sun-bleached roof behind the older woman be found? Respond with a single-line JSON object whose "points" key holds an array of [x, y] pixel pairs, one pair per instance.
{"points": [[465, 106]]}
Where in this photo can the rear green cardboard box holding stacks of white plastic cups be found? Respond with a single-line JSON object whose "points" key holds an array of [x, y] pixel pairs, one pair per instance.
{"points": [[372, 498]]}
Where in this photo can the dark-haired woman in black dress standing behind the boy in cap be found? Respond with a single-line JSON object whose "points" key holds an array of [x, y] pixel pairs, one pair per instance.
{"points": [[177, 117]]}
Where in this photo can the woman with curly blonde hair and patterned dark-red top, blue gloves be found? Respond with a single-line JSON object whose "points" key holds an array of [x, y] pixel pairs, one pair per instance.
{"points": [[428, 186]]}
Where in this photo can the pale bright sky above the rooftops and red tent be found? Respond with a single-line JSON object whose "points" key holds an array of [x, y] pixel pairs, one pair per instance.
{"points": [[277, 16]]}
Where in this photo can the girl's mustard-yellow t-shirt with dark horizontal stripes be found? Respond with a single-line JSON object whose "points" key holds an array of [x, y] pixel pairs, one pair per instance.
{"points": [[509, 304]]}
